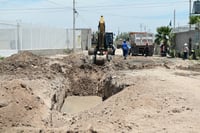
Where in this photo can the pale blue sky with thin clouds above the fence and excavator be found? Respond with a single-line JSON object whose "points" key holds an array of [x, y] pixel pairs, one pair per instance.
{"points": [[120, 15]]}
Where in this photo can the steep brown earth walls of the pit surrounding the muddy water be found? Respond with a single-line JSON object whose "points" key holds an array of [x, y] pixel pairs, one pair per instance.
{"points": [[92, 84]]}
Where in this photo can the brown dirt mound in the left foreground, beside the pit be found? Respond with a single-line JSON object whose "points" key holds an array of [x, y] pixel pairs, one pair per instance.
{"points": [[20, 106]]}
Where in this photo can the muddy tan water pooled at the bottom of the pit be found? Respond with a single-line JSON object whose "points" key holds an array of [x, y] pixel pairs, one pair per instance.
{"points": [[75, 104]]}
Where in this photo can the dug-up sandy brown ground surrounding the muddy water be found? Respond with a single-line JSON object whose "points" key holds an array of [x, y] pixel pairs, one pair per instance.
{"points": [[150, 94]]}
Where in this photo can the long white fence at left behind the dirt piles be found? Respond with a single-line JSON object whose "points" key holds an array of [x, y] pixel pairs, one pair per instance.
{"points": [[20, 37]]}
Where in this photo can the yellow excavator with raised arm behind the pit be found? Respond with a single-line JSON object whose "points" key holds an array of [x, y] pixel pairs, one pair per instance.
{"points": [[104, 48]]}
